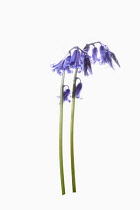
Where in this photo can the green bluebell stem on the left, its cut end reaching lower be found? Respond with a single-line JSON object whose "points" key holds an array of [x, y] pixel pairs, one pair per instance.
{"points": [[61, 136]]}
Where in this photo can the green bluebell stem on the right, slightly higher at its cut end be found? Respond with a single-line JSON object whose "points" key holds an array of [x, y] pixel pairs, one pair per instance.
{"points": [[72, 134]]}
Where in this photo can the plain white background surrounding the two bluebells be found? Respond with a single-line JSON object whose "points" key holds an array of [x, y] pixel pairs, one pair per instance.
{"points": [[33, 35]]}
